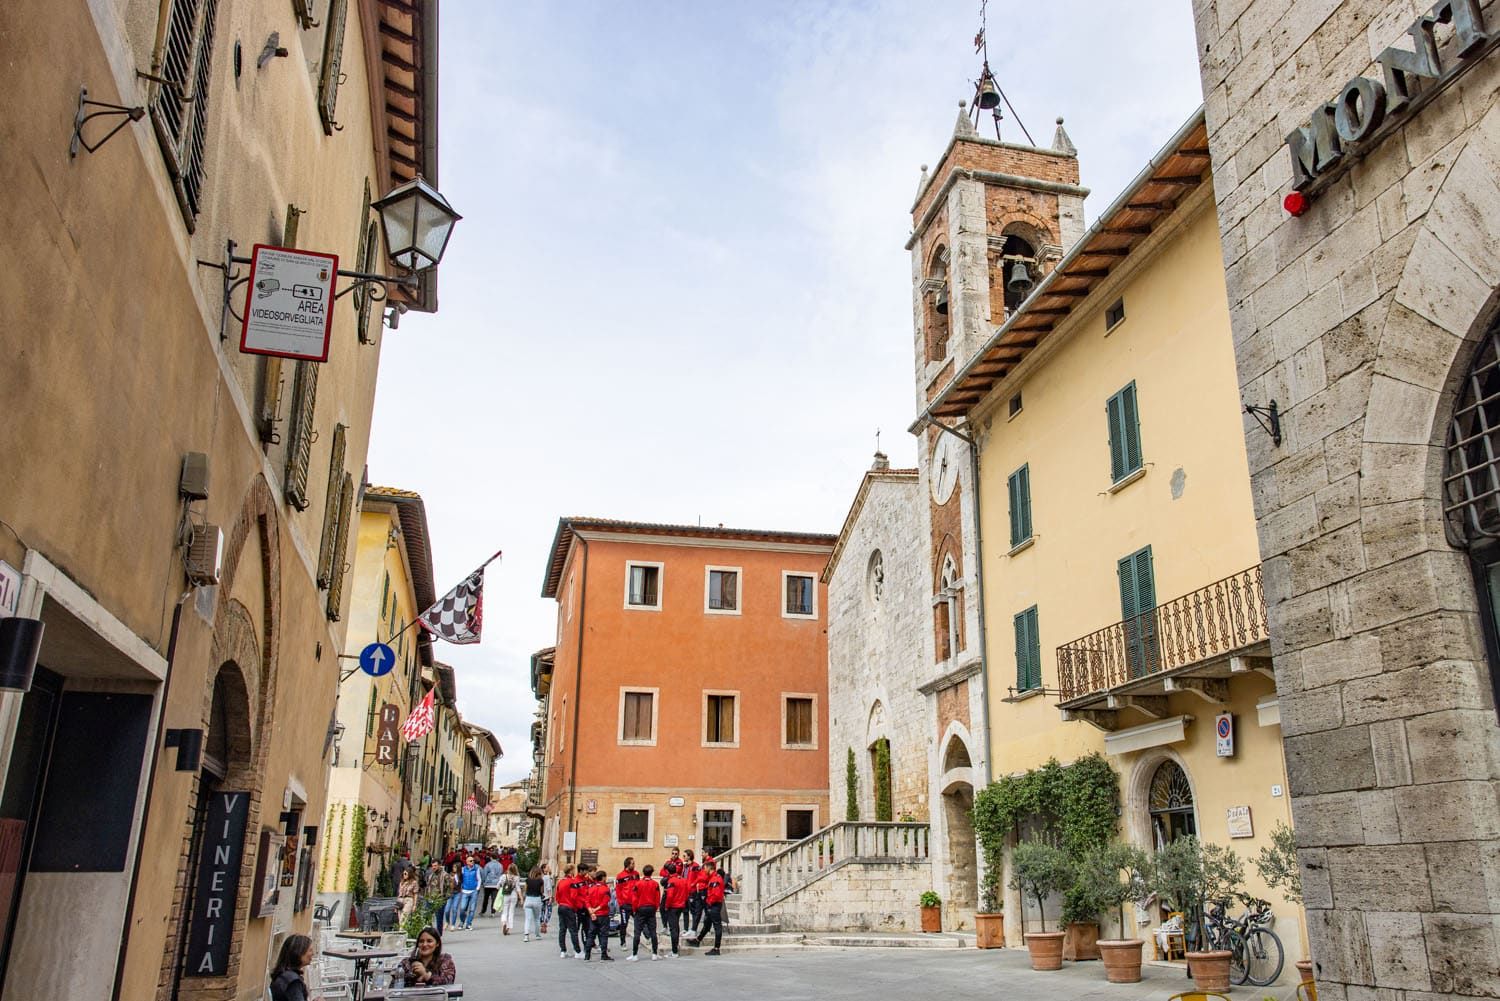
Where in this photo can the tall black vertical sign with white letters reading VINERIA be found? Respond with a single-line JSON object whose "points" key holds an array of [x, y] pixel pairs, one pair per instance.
{"points": [[218, 885]]}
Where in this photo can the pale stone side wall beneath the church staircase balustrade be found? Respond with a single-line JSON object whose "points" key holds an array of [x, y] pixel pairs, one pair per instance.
{"points": [[863, 897]]}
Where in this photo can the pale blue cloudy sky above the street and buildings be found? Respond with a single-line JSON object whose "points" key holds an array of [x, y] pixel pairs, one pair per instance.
{"points": [[679, 292]]}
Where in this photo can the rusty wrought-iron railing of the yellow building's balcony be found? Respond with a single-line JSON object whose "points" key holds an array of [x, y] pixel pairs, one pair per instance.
{"points": [[1207, 624]]}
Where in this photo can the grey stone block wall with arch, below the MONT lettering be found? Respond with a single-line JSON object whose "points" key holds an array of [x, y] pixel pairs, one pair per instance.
{"points": [[1361, 319]]}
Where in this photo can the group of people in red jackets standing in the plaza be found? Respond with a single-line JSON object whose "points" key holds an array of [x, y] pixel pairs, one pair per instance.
{"points": [[688, 897]]}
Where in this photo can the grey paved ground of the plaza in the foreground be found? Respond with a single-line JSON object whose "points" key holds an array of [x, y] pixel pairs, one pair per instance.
{"points": [[506, 969]]}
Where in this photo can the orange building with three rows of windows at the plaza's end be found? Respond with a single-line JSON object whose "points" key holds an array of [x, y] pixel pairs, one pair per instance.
{"points": [[688, 697]]}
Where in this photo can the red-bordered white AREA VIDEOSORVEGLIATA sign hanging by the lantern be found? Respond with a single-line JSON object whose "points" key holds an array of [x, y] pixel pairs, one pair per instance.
{"points": [[289, 310]]}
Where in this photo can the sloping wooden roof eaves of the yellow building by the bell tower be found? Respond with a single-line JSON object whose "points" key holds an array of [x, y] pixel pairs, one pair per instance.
{"points": [[956, 398]]}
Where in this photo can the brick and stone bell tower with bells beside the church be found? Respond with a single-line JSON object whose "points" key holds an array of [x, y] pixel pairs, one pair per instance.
{"points": [[989, 223]]}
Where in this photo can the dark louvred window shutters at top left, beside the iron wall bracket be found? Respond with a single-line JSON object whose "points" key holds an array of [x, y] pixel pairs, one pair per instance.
{"points": [[181, 104]]}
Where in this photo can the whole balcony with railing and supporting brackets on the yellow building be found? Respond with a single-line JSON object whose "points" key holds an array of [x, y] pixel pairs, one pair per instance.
{"points": [[1195, 643]]}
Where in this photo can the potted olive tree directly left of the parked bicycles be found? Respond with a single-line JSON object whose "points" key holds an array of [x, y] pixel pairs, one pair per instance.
{"points": [[1187, 874]]}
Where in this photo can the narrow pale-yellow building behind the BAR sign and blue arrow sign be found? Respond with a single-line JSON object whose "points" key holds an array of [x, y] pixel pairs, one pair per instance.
{"points": [[371, 763]]}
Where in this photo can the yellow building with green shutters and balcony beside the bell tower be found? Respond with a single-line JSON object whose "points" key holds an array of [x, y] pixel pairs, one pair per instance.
{"points": [[1123, 600]]}
